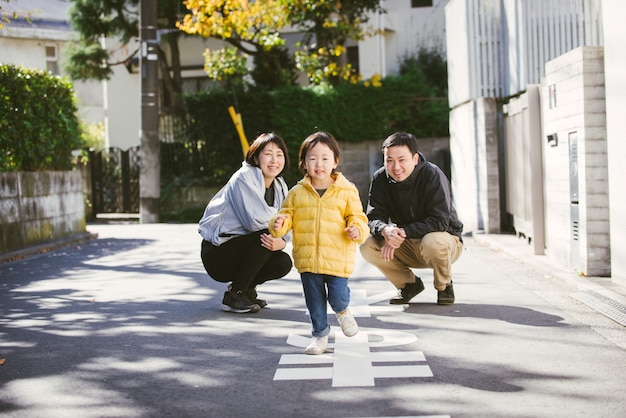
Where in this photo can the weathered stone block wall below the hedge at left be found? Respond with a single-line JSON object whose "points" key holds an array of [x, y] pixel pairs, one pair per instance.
{"points": [[39, 207]]}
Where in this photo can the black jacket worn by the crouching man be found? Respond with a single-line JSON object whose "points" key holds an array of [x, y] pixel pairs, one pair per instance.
{"points": [[420, 204]]}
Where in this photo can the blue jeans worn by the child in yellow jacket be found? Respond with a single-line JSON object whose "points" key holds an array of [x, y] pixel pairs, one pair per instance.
{"points": [[317, 299]]}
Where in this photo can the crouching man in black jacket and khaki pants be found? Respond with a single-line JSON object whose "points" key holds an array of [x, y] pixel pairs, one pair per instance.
{"points": [[412, 221]]}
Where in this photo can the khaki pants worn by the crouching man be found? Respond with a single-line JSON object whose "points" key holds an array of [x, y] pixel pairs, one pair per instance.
{"points": [[437, 250]]}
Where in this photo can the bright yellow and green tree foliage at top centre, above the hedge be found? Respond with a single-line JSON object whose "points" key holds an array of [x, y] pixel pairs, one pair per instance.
{"points": [[252, 28]]}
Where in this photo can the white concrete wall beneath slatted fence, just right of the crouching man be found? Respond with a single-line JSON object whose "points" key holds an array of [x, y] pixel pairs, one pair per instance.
{"points": [[475, 173]]}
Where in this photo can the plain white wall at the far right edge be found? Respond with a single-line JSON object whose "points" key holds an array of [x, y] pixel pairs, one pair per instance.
{"points": [[615, 80]]}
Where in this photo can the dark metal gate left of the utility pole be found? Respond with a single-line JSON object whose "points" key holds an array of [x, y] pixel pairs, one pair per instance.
{"points": [[114, 181]]}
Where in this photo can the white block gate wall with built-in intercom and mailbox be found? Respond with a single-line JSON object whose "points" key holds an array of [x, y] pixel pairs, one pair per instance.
{"points": [[573, 109]]}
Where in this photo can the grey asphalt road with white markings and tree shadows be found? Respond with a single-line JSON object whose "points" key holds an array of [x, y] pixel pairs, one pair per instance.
{"points": [[129, 325]]}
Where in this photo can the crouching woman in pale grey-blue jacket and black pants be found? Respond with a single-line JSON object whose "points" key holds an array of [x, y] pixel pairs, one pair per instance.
{"points": [[236, 245]]}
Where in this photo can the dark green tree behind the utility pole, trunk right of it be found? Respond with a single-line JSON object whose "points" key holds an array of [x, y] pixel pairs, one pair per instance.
{"points": [[88, 59]]}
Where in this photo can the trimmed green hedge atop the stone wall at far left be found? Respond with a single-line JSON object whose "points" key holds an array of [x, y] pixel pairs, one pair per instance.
{"points": [[39, 126]]}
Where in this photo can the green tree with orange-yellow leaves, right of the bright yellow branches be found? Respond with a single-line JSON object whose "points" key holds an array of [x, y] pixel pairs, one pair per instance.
{"points": [[328, 25]]}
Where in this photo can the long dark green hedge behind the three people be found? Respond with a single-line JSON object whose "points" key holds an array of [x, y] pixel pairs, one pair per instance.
{"points": [[352, 113]]}
